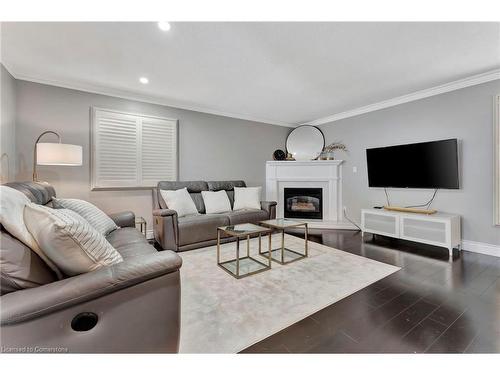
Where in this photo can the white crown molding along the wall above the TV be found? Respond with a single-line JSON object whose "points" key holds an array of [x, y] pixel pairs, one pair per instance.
{"points": [[417, 95]]}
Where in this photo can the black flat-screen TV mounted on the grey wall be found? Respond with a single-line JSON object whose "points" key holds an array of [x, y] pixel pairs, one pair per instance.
{"points": [[426, 165]]}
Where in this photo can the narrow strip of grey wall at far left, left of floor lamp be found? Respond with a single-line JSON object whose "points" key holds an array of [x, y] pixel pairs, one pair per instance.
{"points": [[7, 125]]}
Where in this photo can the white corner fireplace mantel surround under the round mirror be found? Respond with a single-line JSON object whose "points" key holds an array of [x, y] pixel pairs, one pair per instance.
{"points": [[324, 174]]}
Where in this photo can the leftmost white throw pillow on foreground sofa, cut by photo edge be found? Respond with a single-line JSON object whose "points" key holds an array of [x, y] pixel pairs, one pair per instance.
{"points": [[12, 218]]}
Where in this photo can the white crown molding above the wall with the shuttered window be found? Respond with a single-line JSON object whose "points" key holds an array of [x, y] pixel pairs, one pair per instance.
{"points": [[129, 95]]}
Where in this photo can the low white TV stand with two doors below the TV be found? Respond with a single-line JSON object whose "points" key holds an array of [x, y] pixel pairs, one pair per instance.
{"points": [[440, 229]]}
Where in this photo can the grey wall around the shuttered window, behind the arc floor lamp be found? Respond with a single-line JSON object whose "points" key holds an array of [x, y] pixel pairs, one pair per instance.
{"points": [[210, 147]]}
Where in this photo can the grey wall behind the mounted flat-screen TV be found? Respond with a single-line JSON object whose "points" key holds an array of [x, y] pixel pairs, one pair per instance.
{"points": [[466, 114]]}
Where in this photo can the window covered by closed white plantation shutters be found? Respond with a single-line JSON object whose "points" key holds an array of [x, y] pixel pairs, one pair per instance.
{"points": [[131, 150]]}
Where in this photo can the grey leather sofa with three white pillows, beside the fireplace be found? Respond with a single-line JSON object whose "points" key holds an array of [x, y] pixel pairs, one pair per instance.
{"points": [[190, 232]]}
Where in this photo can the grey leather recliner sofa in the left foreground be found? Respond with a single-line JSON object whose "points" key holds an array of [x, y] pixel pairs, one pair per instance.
{"points": [[135, 304]]}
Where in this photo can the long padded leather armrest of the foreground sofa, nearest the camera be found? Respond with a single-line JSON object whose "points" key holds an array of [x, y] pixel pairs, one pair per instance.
{"points": [[35, 302]]}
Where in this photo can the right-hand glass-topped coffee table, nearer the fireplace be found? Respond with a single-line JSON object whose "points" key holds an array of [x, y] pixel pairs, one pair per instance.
{"points": [[282, 254]]}
